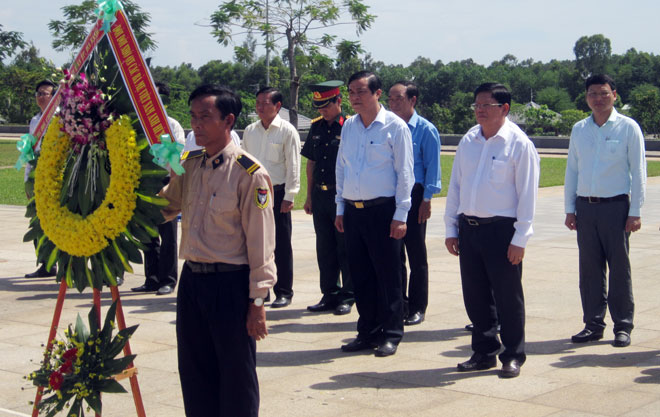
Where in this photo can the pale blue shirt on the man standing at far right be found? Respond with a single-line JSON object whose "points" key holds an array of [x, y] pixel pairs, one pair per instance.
{"points": [[605, 161]]}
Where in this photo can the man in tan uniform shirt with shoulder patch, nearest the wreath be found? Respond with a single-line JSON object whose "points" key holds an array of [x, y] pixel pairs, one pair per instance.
{"points": [[228, 239]]}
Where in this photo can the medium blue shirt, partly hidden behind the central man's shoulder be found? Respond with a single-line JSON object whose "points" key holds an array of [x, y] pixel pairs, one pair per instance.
{"points": [[426, 154]]}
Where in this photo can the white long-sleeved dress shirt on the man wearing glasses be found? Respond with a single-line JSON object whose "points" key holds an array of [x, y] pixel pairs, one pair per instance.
{"points": [[494, 177]]}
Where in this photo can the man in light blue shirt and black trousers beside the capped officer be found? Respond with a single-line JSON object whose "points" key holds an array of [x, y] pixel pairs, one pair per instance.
{"points": [[374, 178]]}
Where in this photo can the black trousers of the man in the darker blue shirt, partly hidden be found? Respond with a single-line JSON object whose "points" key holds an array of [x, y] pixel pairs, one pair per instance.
{"points": [[414, 242]]}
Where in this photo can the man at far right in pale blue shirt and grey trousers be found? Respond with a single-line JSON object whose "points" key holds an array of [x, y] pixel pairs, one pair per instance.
{"points": [[603, 196]]}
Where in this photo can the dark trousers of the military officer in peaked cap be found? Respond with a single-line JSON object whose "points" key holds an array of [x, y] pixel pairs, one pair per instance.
{"points": [[330, 249]]}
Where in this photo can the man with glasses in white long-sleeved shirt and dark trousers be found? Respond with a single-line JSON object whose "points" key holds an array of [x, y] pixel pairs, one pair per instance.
{"points": [[488, 218]]}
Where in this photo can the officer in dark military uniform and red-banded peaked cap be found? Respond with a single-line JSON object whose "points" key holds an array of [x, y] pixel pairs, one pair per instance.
{"points": [[320, 149]]}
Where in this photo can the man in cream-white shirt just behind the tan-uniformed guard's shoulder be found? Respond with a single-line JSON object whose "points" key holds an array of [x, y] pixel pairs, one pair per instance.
{"points": [[276, 144]]}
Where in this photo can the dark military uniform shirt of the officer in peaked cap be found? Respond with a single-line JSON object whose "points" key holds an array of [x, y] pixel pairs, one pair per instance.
{"points": [[321, 147]]}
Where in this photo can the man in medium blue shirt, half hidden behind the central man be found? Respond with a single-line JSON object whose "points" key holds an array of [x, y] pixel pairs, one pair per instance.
{"points": [[426, 153]]}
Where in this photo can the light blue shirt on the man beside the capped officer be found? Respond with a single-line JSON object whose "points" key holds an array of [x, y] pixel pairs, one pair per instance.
{"points": [[375, 161]]}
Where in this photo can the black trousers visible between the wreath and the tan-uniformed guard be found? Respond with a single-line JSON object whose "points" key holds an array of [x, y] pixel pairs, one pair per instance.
{"points": [[160, 261]]}
